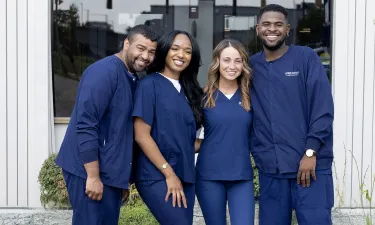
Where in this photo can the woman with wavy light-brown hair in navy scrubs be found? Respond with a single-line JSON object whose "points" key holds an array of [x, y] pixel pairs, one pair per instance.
{"points": [[224, 171]]}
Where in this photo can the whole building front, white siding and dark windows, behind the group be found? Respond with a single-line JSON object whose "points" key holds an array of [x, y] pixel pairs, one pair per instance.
{"points": [[45, 46]]}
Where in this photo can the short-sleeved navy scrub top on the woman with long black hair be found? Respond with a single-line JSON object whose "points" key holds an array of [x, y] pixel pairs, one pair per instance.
{"points": [[173, 128]]}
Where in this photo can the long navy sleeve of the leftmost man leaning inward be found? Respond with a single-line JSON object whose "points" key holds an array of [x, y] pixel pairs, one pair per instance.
{"points": [[94, 96]]}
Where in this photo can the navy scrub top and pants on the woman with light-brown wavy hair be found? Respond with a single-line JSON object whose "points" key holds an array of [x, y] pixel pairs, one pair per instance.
{"points": [[224, 171]]}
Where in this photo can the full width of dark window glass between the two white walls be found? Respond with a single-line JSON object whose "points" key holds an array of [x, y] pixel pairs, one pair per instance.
{"points": [[85, 31]]}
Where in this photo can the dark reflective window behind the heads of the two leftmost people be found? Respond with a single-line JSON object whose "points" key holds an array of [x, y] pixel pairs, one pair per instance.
{"points": [[84, 31]]}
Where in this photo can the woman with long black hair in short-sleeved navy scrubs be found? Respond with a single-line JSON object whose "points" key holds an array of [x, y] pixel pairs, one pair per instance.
{"points": [[167, 110]]}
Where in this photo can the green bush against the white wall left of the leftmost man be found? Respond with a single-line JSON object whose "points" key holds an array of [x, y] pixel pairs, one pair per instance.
{"points": [[53, 193]]}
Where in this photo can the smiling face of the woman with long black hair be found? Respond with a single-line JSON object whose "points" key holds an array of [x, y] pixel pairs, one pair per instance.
{"points": [[179, 54]]}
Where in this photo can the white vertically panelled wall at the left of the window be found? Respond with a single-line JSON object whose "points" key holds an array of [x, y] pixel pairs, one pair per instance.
{"points": [[25, 119]]}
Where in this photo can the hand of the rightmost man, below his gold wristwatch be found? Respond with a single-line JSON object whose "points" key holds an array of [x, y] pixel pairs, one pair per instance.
{"points": [[306, 169]]}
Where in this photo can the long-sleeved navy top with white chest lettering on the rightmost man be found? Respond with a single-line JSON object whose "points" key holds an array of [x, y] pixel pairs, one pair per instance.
{"points": [[293, 111]]}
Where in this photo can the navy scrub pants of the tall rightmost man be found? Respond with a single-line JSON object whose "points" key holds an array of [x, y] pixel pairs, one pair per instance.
{"points": [[278, 196]]}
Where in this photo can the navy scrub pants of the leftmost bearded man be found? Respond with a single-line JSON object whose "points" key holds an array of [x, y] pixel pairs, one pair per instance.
{"points": [[90, 212]]}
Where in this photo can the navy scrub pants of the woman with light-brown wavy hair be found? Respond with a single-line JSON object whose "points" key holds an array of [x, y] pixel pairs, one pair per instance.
{"points": [[213, 196]]}
